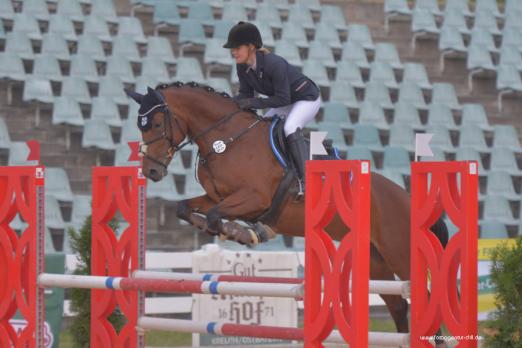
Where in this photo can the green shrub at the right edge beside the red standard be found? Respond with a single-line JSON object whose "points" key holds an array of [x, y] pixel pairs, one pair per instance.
{"points": [[504, 327]]}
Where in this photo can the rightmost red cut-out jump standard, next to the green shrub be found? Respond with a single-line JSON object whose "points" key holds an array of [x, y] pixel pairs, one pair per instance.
{"points": [[451, 187]]}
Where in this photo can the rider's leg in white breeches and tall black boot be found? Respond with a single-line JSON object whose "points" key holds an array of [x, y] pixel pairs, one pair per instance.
{"points": [[302, 112]]}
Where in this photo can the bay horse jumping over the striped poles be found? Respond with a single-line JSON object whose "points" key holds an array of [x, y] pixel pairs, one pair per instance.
{"points": [[240, 176]]}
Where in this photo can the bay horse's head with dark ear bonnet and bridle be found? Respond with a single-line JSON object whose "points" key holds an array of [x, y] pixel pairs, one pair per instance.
{"points": [[161, 132]]}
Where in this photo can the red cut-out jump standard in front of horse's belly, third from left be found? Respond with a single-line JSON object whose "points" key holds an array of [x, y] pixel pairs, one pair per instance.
{"points": [[338, 192]]}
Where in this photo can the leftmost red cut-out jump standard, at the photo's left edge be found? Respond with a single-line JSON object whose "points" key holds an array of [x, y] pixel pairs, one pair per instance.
{"points": [[21, 258]]}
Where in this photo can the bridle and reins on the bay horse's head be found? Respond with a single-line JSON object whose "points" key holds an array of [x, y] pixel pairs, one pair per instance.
{"points": [[167, 134]]}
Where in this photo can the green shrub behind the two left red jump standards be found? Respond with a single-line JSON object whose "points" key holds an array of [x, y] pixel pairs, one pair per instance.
{"points": [[81, 298]]}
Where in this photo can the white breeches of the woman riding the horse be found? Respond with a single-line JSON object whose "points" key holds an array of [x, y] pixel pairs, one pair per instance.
{"points": [[296, 115]]}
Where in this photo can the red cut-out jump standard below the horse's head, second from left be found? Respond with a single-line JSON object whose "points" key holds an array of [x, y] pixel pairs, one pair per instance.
{"points": [[123, 190]]}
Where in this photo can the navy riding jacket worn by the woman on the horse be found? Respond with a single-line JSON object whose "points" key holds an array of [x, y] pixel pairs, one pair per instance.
{"points": [[283, 83]]}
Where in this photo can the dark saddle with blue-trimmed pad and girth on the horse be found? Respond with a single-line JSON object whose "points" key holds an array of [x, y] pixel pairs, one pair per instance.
{"points": [[288, 187]]}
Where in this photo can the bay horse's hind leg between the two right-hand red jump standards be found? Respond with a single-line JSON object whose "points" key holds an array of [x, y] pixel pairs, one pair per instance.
{"points": [[397, 306]]}
